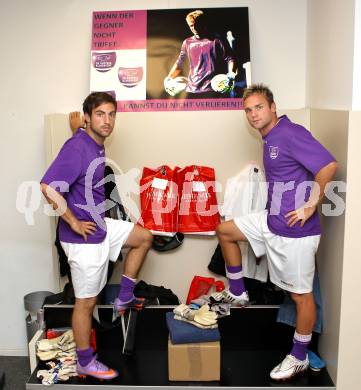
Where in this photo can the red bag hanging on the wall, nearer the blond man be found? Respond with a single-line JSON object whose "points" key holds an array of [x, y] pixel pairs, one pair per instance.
{"points": [[198, 209]]}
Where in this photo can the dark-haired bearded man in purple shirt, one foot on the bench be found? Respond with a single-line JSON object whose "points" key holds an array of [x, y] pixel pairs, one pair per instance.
{"points": [[74, 186]]}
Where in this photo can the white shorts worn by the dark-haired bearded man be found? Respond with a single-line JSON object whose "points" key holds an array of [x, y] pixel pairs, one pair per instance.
{"points": [[89, 262]]}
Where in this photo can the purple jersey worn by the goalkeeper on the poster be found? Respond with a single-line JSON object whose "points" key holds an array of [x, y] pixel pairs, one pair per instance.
{"points": [[207, 57]]}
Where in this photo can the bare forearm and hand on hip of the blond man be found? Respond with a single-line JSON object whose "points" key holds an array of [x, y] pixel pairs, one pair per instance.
{"points": [[323, 177]]}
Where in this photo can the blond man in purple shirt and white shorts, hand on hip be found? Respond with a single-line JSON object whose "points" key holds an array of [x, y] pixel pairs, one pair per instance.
{"points": [[297, 169]]}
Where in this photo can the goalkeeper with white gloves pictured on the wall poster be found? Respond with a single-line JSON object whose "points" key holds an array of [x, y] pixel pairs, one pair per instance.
{"points": [[212, 68]]}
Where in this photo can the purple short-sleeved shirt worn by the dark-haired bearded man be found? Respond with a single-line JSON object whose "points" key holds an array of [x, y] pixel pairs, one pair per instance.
{"points": [[79, 167]]}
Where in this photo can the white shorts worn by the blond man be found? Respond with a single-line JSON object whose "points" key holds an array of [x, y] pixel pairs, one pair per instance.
{"points": [[291, 261]]}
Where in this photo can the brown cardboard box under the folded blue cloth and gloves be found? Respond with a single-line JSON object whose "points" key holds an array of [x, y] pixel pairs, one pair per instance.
{"points": [[194, 362]]}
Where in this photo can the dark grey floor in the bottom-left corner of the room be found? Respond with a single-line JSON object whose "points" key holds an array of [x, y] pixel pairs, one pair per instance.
{"points": [[17, 371]]}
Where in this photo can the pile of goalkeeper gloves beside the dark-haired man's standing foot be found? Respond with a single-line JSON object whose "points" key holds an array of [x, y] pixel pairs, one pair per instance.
{"points": [[60, 355]]}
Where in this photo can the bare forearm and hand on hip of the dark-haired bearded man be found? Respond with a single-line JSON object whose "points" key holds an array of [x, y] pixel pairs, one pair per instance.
{"points": [[57, 201]]}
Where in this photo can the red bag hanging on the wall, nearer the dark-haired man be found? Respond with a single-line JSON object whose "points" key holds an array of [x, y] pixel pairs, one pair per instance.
{"points": [[159, 200]]}
